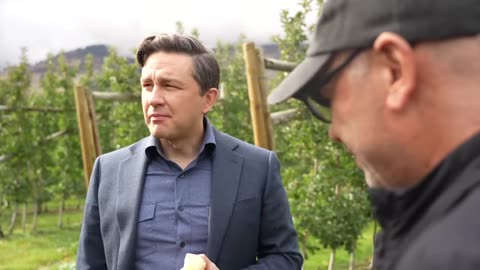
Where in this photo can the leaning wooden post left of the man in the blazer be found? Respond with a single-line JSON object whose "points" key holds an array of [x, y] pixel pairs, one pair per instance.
{"points": [[87, 127]]}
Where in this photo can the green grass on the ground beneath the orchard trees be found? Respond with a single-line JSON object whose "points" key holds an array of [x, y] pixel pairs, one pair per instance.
{"points": [[53, 248]]}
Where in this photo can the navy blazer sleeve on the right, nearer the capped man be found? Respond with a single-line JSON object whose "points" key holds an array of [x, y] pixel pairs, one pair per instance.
{"points": [[278, 247]]}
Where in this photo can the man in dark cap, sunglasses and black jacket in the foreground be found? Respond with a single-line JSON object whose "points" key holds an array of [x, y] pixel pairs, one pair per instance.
{"points": [[399, 81]]}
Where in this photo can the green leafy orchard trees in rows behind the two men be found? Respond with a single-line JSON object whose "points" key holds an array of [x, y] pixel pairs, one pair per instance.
{"points": [[37, 165]]}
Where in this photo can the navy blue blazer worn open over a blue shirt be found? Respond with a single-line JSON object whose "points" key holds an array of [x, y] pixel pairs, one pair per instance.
{"points": [[250, 225]]}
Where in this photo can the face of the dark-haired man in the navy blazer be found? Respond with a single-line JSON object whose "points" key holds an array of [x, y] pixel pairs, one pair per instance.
{"points": [[173, 106]]}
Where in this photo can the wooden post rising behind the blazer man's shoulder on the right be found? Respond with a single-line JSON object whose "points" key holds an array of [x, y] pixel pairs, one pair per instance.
{"points": [[261, 121]]}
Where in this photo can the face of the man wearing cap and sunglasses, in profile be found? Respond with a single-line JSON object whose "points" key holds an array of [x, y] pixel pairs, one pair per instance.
{"points": [[357, 98]]}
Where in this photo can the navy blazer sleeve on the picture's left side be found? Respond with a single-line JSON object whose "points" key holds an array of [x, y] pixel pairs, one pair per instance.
{"points": [[91, 254]]}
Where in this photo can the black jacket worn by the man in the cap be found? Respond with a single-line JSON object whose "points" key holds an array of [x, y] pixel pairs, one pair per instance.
{"points": [[435, 225]]}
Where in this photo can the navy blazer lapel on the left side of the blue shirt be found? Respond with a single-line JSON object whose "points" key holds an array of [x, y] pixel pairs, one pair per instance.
{"points": [[130, 179]]}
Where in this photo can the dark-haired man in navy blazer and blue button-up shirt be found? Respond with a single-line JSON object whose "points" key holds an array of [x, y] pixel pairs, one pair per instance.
{"points": [[187, 188]]}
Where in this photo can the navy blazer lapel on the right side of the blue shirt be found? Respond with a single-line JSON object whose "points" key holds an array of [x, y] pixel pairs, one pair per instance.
{"points": [[227, 166]]}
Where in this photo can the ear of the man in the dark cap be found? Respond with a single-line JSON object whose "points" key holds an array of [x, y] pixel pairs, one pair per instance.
{"points": [[398, 58]]}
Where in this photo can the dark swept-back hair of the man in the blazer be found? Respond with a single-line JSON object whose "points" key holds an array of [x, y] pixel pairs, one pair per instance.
{"points": [[206, 70]]}
